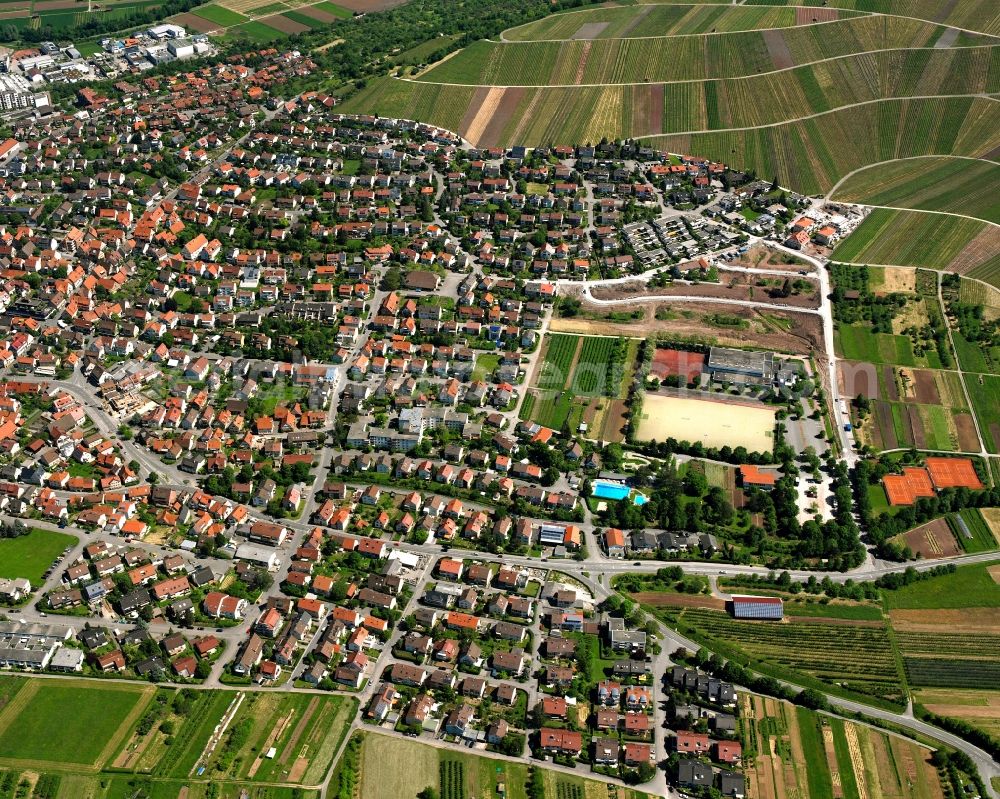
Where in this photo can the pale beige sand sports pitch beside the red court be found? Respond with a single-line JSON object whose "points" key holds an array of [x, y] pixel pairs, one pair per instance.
{"points": [[714, 422]]}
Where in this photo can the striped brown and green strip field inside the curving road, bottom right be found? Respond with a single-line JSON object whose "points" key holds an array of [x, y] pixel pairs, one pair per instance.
{"points": [[791, 751]]}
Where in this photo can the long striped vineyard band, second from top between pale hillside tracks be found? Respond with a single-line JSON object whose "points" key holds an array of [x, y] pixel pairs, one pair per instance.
{"points": [[684, 58]]}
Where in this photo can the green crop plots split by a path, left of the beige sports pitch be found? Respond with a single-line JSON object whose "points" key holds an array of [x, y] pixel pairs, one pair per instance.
{"points": [[581, 379]]}
